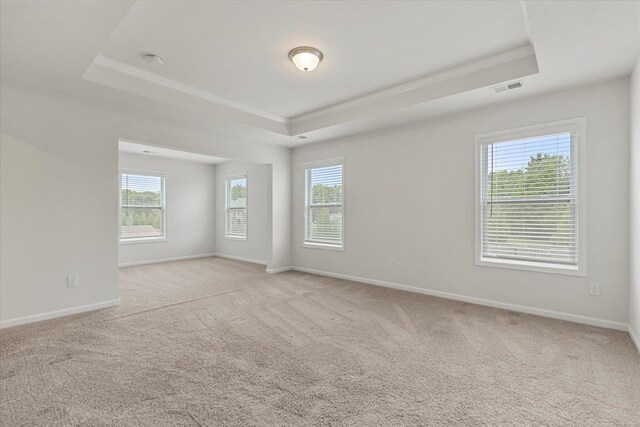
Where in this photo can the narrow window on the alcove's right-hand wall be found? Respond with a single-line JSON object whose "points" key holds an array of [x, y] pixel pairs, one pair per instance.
{"points": [[236, 207]]}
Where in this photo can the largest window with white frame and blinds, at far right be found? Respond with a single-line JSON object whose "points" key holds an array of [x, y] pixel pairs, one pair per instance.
{"points": [[530, 210]]}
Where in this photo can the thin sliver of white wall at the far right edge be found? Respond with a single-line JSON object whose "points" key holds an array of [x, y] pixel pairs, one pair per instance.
{"points": [[634, 287]]}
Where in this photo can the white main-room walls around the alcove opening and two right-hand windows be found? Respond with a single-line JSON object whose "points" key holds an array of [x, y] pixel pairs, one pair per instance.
{"points": [[66, 152]]}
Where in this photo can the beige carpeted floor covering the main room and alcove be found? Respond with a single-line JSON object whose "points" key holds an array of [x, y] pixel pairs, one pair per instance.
{"points": [[214, 341]]}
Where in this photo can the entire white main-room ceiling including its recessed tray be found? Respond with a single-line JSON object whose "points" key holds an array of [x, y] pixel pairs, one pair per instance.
{"points": [[226, 71]]}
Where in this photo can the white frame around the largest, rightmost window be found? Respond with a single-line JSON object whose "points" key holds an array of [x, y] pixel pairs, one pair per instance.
{"points": [[577, 125]]}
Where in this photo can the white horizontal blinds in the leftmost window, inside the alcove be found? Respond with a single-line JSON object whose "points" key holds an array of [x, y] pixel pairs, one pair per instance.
{"points": [[142, 206]]}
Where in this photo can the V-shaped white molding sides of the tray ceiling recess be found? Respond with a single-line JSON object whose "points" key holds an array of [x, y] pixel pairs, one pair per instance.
{"points": [[516, 63]]}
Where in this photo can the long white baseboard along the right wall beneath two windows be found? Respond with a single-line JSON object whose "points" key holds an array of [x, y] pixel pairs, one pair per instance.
{"points": [[593, 321]]}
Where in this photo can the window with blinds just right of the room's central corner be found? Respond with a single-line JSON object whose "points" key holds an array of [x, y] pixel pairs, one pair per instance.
{"points": [[323, 213]]}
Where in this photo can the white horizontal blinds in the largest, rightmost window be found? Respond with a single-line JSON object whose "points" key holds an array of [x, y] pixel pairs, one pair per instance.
{"points": [[529, 200]]}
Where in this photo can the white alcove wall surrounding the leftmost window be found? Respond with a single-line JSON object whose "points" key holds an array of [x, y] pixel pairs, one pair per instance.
{"points": [[190, 210]]}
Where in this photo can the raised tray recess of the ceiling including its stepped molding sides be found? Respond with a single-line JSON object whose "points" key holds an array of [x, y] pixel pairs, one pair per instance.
{"points": [[230, 58]]}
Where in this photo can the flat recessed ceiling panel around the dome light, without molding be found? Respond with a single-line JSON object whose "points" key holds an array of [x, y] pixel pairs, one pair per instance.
{"points": [[238, 50]]}
